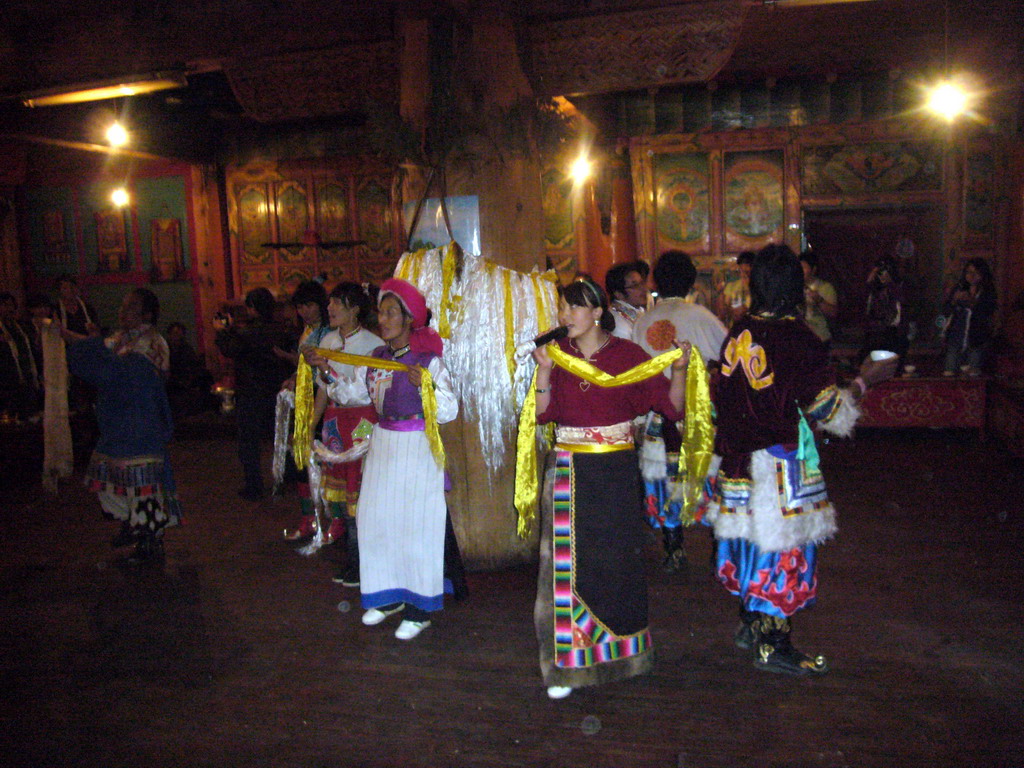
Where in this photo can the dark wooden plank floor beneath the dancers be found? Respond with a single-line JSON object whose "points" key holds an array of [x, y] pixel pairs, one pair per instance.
{"points": [[238, 652]]}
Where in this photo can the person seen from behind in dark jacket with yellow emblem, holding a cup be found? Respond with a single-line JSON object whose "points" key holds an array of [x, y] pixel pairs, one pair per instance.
{"points": [[770, 507]]}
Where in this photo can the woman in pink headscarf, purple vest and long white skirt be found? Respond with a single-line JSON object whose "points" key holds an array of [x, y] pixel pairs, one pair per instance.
{"points": [[402, 510]]}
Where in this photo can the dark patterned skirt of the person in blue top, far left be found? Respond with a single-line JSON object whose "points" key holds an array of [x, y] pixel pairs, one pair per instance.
{"points": [[137, 490]]}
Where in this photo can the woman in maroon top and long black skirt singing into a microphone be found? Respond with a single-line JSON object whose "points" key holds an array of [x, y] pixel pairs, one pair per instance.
{"points": [[591, 612]]}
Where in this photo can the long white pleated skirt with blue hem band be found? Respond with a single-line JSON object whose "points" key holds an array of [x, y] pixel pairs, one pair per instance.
{"points": [[401, 519]]}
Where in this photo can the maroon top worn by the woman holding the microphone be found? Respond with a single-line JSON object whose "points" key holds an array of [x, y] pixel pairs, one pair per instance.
{"points": [[601, 407]]}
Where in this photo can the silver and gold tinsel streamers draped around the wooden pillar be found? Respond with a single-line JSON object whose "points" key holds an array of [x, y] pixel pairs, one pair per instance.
{"points": [[476, 354]]}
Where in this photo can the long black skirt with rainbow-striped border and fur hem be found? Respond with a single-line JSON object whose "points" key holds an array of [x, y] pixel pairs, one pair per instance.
{"points": [[591, 612]]}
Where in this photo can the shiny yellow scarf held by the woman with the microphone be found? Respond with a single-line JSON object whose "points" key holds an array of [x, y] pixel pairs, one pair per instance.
{"points": [[527, 490]]}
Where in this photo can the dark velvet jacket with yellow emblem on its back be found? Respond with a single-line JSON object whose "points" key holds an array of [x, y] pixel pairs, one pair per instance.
{"points": [[771, 370]]}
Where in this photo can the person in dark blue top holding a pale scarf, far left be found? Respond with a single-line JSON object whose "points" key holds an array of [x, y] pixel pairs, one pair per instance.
{"points": [[131, 471]]}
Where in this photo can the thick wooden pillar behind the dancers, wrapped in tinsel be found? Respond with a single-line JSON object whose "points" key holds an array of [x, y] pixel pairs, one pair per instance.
{"points": [[488, 83]]}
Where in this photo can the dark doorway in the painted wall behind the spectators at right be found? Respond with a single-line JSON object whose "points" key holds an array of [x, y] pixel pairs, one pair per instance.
{"points": [[849, 242]]}
